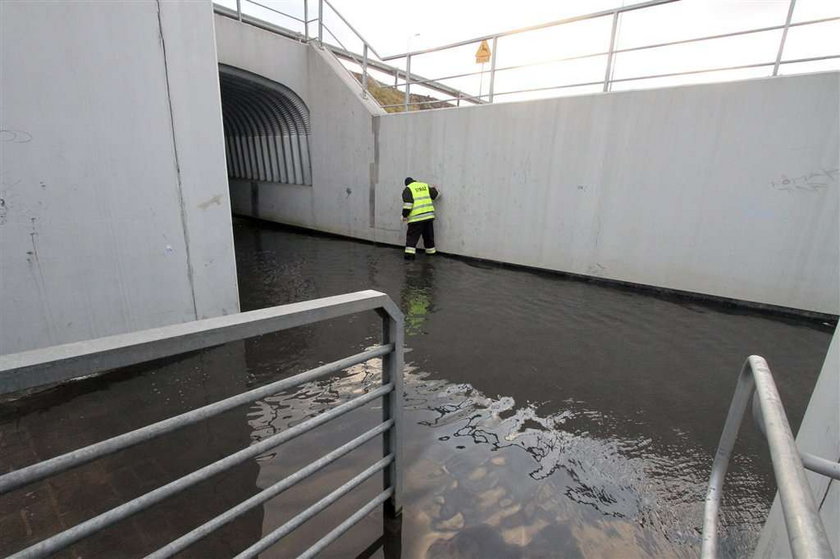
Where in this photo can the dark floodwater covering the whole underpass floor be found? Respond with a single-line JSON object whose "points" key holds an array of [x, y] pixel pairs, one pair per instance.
{"points": [[544, 416]]}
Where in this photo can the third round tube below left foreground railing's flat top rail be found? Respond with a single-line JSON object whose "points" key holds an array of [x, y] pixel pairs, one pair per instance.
{"points": [[269, 493]]}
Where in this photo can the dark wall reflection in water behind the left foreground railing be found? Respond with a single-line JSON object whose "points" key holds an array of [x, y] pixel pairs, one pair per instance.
{"points": [[67, 417]]}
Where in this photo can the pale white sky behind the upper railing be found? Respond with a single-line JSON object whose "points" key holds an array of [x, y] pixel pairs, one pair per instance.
{"points": [[394, 26]]}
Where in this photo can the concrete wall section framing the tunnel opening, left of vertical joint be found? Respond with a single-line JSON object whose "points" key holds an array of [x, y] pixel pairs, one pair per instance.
{"points": [[342, 144]]}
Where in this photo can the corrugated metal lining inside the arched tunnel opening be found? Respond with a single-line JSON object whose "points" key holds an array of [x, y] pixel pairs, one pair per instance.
{"points": [[266, 129]]}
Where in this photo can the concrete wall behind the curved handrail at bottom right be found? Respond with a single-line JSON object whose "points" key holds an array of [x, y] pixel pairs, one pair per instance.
{"points": [[819, 434]]}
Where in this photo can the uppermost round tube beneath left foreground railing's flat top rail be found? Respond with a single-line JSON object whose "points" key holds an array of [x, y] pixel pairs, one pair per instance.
{"points": [[30, 474]]}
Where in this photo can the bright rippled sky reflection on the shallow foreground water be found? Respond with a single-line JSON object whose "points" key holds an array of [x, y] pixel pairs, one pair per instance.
{"points": [[475, 463]]}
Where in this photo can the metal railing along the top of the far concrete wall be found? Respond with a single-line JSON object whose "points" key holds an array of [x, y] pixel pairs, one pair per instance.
{"points": [[406, 78]]}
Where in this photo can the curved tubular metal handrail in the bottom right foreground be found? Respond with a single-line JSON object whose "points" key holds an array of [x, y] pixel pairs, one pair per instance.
{"points": [[806, 532]]}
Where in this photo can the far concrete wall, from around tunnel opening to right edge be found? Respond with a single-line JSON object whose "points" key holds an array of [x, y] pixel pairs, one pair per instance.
{"points": [[729, 190]]}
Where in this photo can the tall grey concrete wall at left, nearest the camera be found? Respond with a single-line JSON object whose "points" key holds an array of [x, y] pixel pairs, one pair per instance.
{"points": [[115, 212]]}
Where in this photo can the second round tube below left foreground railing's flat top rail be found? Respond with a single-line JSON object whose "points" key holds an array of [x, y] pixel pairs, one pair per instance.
{"points": [[108, 518]]}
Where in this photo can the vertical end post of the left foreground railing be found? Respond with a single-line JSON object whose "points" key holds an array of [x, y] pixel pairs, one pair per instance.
{"points": [[392, 370]]}
